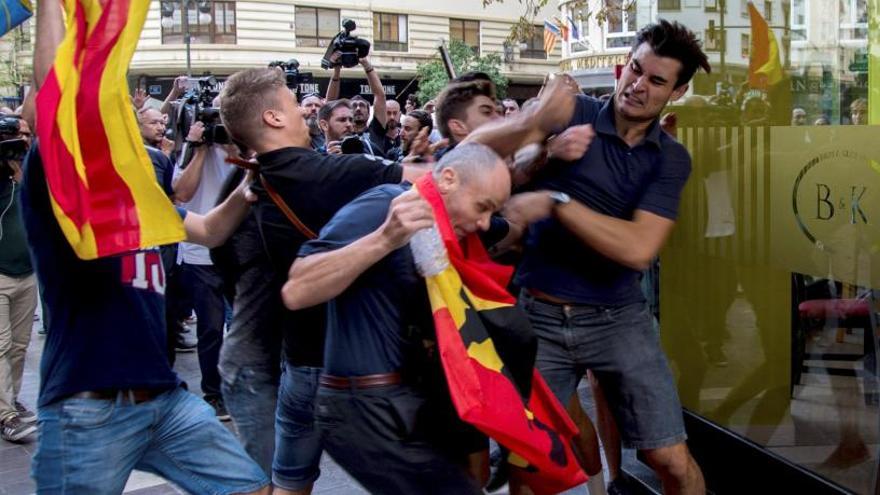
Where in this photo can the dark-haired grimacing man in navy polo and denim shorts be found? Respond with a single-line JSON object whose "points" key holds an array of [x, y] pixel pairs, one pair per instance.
{"points": [[608, 215]]}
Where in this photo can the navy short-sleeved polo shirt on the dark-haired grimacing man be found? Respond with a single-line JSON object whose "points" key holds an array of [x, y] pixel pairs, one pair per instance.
{"points": [[613, 179]]}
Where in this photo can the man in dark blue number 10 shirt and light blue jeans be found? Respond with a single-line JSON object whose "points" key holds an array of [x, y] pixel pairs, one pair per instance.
{"points": [[109, 401]]}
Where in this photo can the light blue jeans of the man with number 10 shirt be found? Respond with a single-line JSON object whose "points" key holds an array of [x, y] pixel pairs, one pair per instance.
{"points": [[90, 446]]}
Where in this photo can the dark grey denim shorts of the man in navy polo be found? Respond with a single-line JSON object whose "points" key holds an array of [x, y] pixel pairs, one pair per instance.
{"points": [[622, 349]]}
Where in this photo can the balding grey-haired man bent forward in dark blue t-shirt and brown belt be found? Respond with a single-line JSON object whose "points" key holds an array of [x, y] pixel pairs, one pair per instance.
{"points": [[378, 419]]}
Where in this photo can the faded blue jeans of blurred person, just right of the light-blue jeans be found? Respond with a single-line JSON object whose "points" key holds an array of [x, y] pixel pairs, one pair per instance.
{"points": [[250, 396]]}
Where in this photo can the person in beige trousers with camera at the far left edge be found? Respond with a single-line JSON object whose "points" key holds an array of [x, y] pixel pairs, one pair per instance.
{"points": [[18, 290]]}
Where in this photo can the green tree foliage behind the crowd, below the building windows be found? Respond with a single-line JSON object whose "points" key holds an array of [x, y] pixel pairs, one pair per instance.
{"points": [[432, 75]]}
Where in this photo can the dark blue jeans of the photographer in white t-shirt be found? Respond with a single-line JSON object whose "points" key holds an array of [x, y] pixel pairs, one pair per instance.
{"points": [[205, 286]]}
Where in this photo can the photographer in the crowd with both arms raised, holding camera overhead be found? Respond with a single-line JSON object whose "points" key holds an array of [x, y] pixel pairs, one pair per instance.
{"points": [[372, 132]]}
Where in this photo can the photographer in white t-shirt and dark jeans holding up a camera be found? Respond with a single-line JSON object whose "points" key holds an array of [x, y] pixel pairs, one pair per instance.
{"points": [[197, 184]]}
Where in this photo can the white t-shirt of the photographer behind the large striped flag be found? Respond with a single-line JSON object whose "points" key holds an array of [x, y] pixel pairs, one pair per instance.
{"points": [[215, 171]]}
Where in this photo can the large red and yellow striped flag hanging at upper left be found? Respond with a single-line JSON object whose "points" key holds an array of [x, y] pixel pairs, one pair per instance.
{"points": [[101, 182]]}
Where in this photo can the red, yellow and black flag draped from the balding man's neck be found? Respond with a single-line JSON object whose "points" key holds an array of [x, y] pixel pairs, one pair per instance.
{"points": [[488, 349]]}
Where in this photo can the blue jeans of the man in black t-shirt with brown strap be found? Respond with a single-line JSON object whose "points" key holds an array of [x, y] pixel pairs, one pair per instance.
{"points": [[298, 443]]}
